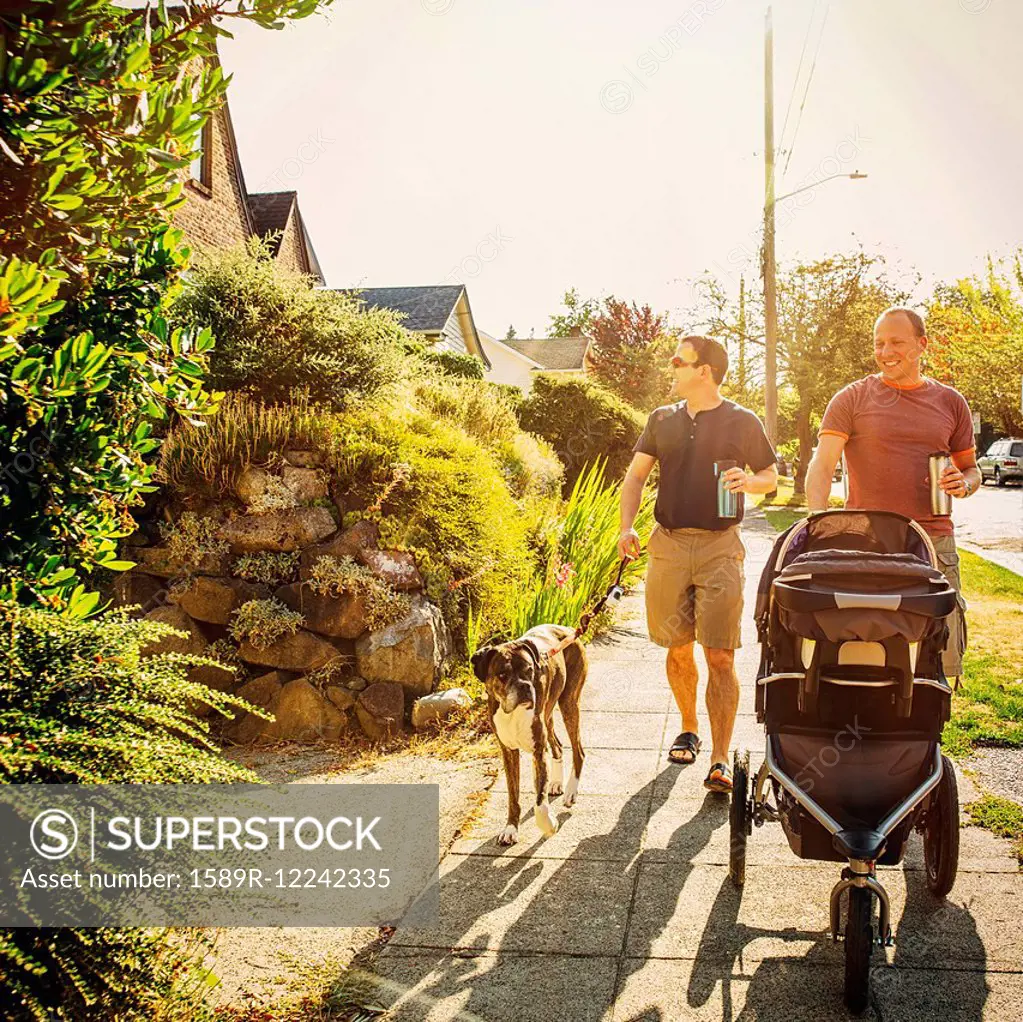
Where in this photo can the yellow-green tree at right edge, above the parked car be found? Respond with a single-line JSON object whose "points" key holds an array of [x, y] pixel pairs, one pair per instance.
{"points": [[976, 332]]}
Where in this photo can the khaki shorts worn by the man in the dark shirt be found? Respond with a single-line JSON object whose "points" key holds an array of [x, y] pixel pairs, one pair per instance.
{"points": [[695, 588]]}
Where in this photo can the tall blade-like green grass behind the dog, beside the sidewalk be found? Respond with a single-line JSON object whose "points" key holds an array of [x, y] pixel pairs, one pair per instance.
{"points": [[585, 558]]}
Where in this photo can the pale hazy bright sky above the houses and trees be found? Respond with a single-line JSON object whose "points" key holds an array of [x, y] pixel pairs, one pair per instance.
{"points": [[524, 149]]}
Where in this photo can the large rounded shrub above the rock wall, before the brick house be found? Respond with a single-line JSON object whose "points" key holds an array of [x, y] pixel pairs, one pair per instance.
{"points": [[278, 333]]}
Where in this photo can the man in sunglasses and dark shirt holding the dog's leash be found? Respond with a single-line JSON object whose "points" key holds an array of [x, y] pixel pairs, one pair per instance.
{"points": [[695, 577]]}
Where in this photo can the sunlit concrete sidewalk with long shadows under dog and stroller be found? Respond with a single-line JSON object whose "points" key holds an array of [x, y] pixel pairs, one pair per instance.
{"points": [[628, 914]]}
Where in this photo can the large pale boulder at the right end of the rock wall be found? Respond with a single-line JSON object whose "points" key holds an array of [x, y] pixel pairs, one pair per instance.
{"points": [[411, 651]]}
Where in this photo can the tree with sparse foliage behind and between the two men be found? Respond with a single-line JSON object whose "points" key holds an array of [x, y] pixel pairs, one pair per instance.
{"points": [[827, 309]]}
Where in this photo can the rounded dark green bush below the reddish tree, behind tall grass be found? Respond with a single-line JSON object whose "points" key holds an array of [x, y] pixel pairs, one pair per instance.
{"points": [[583, 422]]}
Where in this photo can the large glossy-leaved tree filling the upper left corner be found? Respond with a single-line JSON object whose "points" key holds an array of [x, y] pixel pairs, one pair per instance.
{"points": [[101, 111]]}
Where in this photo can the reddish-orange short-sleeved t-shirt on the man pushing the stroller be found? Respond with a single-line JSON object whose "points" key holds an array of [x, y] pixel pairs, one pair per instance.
{"points": [[891, 432]]}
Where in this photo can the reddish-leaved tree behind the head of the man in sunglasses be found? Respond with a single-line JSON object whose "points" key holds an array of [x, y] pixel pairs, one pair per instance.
{"points": [[630, 352]]}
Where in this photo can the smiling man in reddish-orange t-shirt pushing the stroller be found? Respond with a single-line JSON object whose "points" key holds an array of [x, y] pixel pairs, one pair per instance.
{"points": [[888, 425]]}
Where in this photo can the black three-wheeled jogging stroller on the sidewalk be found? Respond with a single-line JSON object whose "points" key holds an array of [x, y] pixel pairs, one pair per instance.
{"points": [[851, 616]]}
